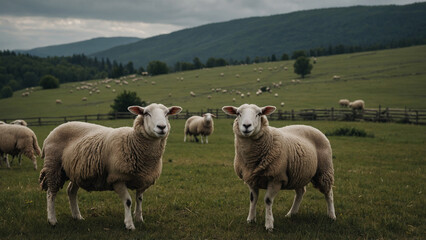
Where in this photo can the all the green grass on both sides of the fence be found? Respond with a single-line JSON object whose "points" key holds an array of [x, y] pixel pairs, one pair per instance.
{"points": [[379, 181]]}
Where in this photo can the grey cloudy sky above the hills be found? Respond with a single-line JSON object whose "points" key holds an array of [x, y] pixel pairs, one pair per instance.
{"points": [[26, 24]]}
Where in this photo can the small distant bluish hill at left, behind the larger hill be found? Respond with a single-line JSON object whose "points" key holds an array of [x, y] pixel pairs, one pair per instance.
{"points": [[86, 47]]}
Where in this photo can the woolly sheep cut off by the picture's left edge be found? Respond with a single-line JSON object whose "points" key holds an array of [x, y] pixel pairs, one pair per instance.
{"points": [[16, 139]]}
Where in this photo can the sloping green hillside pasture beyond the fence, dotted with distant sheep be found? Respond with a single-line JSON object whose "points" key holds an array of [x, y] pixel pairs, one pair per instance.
{"points": [[391, 78]]}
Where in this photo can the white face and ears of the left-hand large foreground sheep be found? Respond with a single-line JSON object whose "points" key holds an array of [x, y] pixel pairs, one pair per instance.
{"points": [[155, 118]]}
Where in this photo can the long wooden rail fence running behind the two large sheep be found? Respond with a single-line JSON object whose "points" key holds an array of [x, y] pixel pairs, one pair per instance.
{"points": [[413, 116]]}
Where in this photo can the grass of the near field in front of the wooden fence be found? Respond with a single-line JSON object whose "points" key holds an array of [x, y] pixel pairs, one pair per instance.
{"points": [[379, 193]]}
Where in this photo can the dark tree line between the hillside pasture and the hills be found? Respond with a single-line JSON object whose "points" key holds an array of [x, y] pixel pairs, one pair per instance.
{"points": [[18, 71]]}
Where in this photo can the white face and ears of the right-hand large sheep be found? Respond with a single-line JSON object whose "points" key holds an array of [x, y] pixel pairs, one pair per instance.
{"points": [[249, 118]]}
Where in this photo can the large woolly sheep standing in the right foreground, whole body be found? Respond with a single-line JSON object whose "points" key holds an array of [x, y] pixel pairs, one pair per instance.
{"points": [[279, 158]]}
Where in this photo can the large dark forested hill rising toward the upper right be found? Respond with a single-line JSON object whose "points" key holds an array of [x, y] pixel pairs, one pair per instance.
{"points": [[278, 34]]}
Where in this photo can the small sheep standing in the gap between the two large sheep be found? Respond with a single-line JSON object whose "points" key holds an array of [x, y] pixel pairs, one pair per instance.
{"points": [[197, 125]]}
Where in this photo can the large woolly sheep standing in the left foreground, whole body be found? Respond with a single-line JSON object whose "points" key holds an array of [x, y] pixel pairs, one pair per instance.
{"points": [[98, 158]]}
